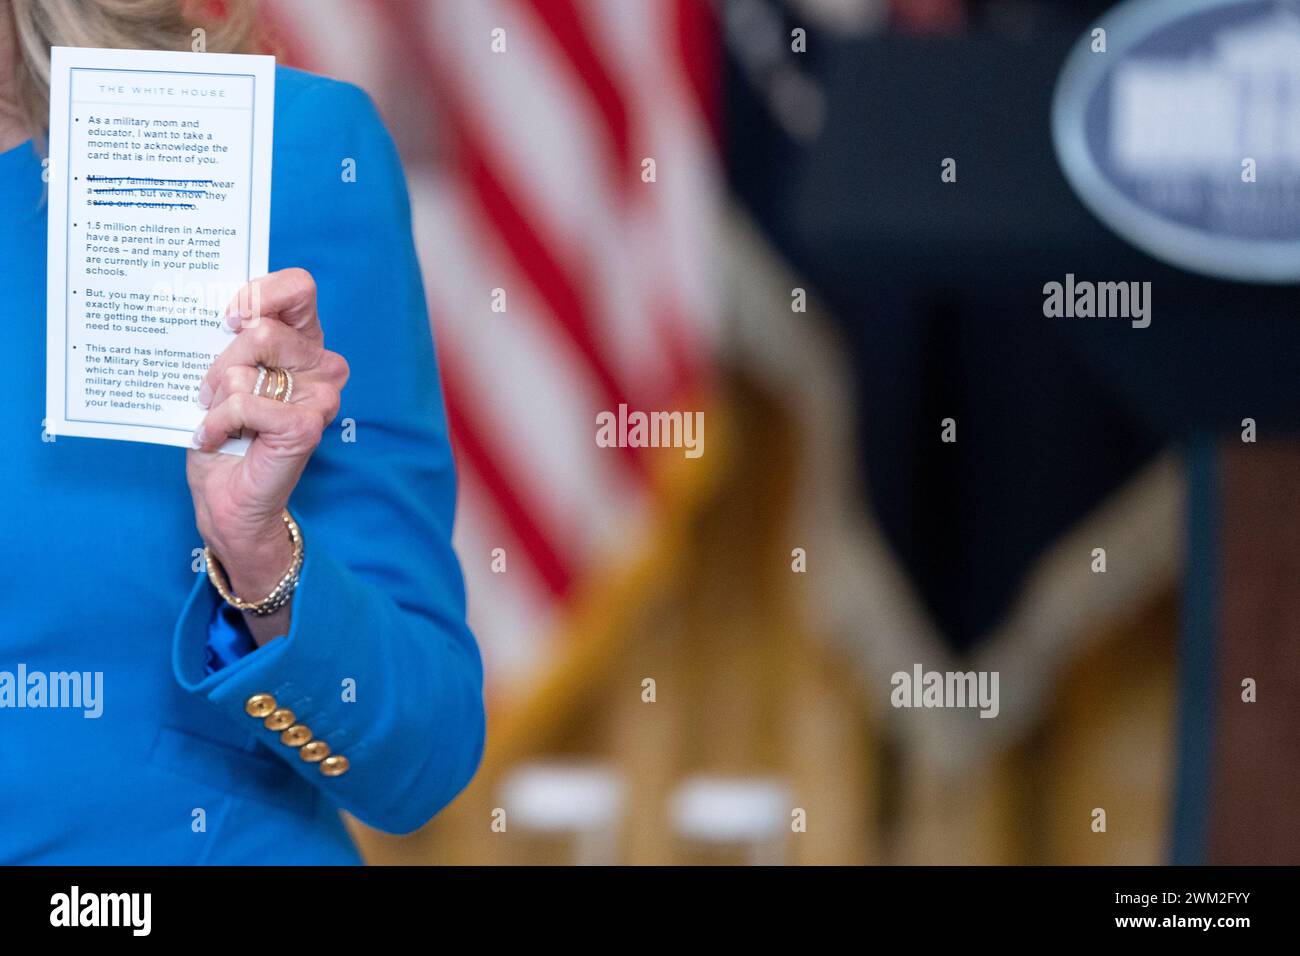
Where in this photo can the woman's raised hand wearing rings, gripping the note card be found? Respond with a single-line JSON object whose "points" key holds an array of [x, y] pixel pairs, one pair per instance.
{"points": [[239, 501]]}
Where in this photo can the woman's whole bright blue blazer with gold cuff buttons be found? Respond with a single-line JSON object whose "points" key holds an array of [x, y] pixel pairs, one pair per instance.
{"points": [[99, 576]]}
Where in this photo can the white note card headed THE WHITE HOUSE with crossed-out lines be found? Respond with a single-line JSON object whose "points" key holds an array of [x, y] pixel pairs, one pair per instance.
{"points": [[159, 213]]}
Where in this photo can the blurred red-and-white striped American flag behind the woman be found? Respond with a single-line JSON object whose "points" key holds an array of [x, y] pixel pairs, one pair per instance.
{"points": [[526, 128]]}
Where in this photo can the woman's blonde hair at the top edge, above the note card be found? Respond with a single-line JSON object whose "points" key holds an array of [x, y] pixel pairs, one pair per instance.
{"points": [[116, 24]]}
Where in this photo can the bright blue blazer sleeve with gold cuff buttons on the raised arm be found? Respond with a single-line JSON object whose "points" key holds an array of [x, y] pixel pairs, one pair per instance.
{"points": [[379, 663]]}
